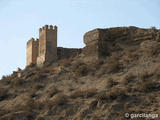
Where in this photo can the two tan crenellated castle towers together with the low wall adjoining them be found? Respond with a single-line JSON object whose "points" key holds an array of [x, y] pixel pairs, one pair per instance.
{"points": [[45, 50]]}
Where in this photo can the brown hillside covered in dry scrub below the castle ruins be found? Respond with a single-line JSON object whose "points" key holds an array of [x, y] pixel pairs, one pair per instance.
{"points": [[127, 80]]}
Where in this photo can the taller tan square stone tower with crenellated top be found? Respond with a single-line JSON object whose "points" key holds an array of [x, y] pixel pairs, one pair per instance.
{"points": [[47, 44]]}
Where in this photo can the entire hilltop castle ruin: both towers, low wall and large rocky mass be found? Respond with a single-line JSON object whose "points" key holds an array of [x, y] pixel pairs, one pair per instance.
{"points": [[99, 43]]}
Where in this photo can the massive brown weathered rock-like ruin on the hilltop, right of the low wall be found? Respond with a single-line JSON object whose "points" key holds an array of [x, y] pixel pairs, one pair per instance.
{"points": [[102, 42]]}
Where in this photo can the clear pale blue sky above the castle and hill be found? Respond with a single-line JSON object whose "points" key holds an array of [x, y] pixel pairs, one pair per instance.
{"points": [[21, 19]]}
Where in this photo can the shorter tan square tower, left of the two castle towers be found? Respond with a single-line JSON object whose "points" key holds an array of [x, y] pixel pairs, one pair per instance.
{"points": [[32, 51]]}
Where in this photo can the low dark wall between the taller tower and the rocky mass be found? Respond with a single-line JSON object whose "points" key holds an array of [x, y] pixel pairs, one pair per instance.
{"points": [[67, 52]]}
